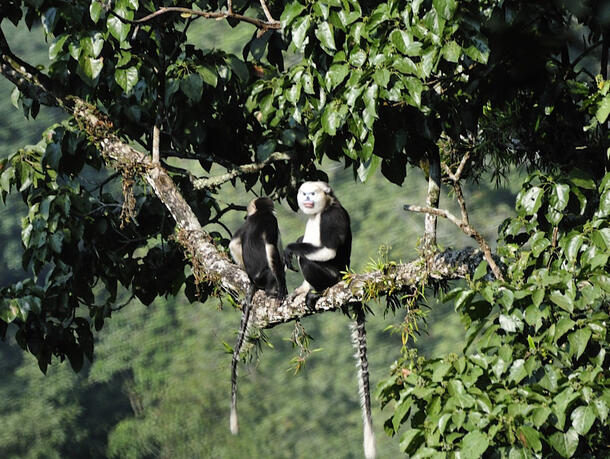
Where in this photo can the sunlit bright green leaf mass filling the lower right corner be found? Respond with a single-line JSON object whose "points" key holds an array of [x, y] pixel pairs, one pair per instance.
{"points": [[533, 378]]}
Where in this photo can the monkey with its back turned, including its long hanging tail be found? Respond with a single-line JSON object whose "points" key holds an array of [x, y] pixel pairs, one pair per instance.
{"points": [[257, 248]]}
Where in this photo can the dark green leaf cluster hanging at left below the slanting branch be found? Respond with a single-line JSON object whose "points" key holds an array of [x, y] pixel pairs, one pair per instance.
{"points": [[77, 252]]}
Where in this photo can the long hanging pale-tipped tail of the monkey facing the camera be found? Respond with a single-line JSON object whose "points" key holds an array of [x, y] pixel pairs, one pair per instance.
{"points": [[359, 342]]}
